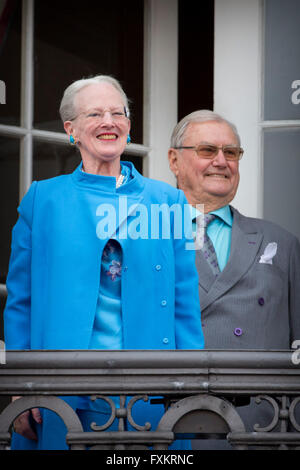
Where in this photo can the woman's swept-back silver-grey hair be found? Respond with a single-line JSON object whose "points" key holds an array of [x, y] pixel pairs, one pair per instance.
{"points": [[67, 109]]}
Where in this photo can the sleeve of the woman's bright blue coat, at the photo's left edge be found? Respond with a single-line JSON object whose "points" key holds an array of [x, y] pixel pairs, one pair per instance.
{"points": [[18, 282]]}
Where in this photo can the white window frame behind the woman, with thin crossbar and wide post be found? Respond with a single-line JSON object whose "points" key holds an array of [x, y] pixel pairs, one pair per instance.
{"points": [[159, 107]]}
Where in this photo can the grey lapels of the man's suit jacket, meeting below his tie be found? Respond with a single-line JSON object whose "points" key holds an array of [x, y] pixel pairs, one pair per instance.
{"points": [[245, 243]]}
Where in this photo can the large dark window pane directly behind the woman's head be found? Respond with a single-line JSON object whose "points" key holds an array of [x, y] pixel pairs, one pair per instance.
{"points": [[71, 43]]}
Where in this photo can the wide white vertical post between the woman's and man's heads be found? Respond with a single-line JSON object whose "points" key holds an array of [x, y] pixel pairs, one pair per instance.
{"points": [[160, 84]]}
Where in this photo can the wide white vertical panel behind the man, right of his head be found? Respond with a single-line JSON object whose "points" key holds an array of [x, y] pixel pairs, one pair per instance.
{"points": [[237, 89]]}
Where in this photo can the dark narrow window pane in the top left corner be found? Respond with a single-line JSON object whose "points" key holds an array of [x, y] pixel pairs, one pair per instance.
{"points": [[10, 60]]}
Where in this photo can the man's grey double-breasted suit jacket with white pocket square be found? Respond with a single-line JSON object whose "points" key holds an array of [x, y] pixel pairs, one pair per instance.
{"points": [[254, 303]]}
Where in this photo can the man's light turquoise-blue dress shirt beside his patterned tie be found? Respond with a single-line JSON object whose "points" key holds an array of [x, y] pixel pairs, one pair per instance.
{"points": [[219, 231]]}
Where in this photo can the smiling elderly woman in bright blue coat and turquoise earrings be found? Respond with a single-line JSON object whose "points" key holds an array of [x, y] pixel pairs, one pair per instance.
{"points": [[88, 249]]}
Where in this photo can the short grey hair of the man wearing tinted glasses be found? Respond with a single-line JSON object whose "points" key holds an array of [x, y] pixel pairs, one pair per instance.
{"points": [[203, 115]]}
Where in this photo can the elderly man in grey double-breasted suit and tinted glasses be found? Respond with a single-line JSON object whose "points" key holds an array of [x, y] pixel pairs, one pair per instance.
{"points": [[249, 276]]}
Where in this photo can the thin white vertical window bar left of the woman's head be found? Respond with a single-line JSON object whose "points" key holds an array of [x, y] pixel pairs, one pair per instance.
{"points": [[27, 96]]}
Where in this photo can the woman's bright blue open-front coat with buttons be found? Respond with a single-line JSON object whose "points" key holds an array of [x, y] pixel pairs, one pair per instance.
{"points": [[54, 273]]}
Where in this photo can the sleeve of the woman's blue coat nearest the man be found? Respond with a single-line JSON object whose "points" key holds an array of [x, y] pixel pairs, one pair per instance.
{"points": [[188, 328]]}
